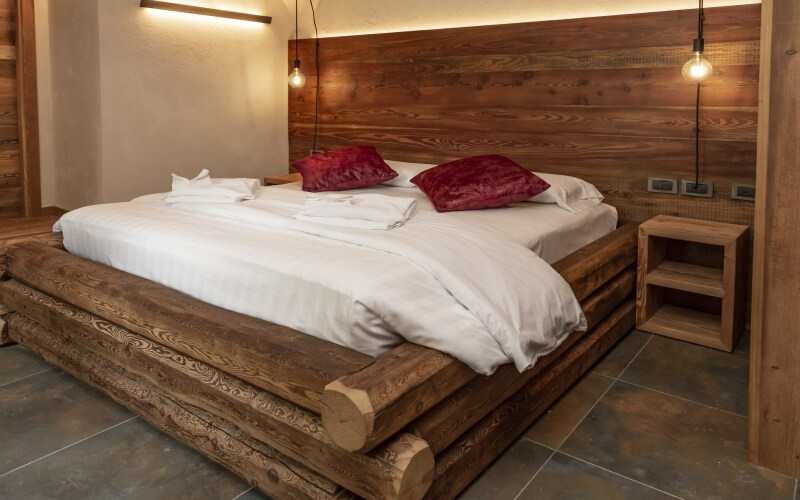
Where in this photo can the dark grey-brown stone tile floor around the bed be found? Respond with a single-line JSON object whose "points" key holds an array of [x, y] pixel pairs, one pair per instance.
{"points": [[656, 418]]}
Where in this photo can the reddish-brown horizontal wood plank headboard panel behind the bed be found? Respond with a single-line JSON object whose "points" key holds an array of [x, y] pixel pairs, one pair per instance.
{"points": [[601, 98]]}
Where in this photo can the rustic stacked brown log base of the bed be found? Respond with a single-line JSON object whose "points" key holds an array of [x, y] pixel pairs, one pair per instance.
{"points": [[296, 416]]}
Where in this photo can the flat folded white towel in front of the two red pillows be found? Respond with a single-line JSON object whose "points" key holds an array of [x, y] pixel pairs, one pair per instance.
{"points": [[362, 211]]}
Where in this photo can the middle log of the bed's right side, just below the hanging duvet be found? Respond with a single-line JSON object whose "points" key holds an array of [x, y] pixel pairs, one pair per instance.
{"points": [[448, 420]]}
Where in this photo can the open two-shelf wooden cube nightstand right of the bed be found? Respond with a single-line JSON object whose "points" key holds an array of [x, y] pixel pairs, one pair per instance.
{"points": [[691, 280]]}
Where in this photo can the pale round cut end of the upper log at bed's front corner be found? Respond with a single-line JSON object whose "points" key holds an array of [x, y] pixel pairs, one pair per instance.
{"points": [[348, 416]]}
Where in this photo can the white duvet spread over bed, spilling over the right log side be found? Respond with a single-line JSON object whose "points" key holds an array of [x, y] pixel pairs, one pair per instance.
{"points": [[440, 280]]}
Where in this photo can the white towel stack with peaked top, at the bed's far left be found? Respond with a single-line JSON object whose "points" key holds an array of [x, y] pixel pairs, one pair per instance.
{"points": [[204, 189]]}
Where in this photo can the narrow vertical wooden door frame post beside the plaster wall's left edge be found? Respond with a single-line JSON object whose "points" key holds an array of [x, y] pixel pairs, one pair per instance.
{"points": [[28, 110]]}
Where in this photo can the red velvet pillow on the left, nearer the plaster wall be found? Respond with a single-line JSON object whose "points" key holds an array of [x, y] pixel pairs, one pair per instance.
{"points": [[348, 168]]}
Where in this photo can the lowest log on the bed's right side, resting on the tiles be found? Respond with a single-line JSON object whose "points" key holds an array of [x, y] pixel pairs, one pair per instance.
{"points": [[477, 448]]}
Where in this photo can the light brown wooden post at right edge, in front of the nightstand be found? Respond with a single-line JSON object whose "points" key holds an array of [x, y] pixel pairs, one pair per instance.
{"points": [[774, 407]]}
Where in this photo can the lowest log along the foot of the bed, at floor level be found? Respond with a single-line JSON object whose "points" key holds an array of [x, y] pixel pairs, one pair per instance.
{"points": [[263, 467]]}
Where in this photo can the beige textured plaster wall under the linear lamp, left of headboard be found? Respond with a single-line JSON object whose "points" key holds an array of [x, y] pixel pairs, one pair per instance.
{"points": [[139, 93]]}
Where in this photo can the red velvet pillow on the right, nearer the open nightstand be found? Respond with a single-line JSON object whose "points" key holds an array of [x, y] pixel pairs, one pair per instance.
{"points": [[478, 182]]}
